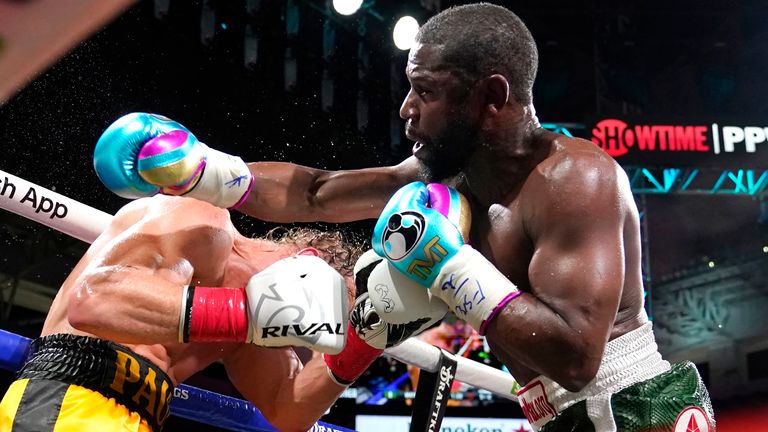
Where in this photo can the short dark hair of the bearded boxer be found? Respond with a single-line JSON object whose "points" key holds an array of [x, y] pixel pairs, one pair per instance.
{"points": [[482, 39]]}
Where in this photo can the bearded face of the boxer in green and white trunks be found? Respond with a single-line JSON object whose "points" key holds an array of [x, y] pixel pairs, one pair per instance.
{"points": [[439, 114]]}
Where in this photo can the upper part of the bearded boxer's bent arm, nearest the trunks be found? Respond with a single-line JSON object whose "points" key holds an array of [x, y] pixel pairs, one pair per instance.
{"points": [[577, 267]]}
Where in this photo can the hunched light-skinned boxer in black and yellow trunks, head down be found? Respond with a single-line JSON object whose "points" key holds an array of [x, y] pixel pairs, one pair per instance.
{"points": [[167, 289]]}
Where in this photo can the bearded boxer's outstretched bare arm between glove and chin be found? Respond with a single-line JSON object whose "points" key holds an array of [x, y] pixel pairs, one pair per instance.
{"points": [[284, 192]]}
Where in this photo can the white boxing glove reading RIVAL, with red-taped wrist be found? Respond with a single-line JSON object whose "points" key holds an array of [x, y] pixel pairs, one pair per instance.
{"points": [[297, 301]]}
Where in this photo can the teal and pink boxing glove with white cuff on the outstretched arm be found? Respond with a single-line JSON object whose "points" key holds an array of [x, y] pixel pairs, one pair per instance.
{"points": [[143, 154]]}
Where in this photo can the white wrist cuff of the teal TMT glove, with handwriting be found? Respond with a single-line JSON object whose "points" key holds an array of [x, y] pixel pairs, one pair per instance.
{"points": [[472, 287]]}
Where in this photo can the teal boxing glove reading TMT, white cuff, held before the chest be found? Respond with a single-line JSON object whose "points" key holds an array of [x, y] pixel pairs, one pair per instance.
{"points": [[423, 232]]}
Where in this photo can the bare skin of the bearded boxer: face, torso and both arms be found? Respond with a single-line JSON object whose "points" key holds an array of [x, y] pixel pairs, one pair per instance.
{"points": [[555, 214]]}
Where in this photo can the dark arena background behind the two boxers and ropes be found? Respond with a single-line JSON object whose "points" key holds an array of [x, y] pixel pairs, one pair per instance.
{"points": [[294, 81]]}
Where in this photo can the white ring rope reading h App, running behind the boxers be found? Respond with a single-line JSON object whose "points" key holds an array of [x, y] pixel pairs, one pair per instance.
{"points": [[86, 223]]}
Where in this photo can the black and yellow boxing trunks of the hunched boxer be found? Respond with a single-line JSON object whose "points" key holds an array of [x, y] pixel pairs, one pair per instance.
{"points": [[78, 383]]}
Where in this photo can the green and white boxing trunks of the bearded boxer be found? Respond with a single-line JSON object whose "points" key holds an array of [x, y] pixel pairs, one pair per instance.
{"points": [[634, 390]]}
